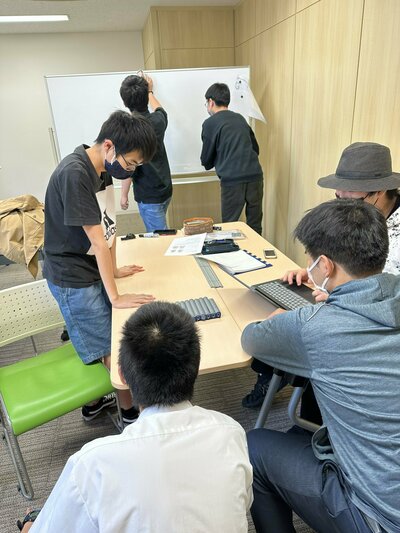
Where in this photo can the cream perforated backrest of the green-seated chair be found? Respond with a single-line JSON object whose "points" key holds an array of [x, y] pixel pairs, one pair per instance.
{"points": [[26, 310]]}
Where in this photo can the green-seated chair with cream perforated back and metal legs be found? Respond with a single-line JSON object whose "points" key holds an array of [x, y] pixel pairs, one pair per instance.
{"points": [[36, 390]]}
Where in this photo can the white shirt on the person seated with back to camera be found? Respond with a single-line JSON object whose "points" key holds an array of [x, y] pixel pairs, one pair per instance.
{"points": [[180, 469]]}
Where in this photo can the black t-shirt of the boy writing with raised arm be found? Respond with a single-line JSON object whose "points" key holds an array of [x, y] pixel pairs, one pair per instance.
{"points": [[152, 181]]}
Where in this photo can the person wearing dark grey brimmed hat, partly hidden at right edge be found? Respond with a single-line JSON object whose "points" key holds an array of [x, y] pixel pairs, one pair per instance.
{"points": [[364, 172]]}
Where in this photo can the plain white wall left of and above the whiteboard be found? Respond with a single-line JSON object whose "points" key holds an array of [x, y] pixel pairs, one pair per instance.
{"points": [[26, 156]]}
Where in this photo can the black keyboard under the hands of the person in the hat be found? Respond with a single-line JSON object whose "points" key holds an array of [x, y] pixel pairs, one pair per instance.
{"points": [[284, 295]]}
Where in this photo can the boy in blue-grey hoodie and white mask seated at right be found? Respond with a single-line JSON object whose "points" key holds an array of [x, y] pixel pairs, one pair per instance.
{"points": [[348, 347]]}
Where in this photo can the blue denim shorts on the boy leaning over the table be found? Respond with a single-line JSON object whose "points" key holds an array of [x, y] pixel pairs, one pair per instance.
{"points": [[87, 315]]}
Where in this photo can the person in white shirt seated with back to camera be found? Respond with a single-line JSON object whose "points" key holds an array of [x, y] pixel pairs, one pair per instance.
{"points": [[179, 469]]}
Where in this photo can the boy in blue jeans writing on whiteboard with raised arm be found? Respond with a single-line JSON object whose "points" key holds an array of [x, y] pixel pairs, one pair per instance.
{"points": [[152, 186]]}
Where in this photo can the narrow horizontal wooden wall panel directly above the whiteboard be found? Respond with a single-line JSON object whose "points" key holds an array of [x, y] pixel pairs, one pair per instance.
{"points": [[201, 57]]}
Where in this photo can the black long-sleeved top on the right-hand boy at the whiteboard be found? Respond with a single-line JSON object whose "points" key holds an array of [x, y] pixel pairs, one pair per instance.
{"points": [[229, 145]]}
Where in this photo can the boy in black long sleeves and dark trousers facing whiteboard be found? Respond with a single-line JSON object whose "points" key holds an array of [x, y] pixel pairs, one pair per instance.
{"points": [[230, 146]]}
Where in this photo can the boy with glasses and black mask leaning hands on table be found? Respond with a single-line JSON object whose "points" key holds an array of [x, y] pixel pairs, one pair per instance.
{"points": [[79, 242]]}
